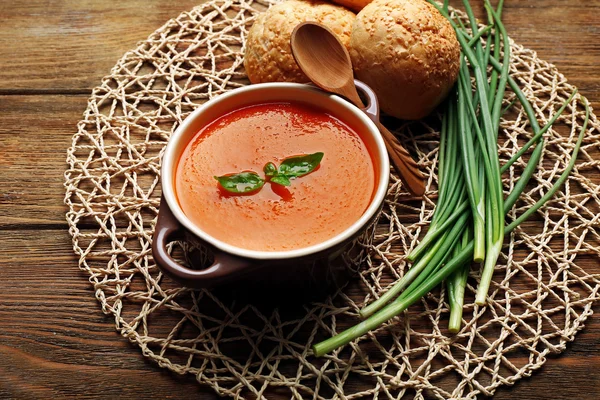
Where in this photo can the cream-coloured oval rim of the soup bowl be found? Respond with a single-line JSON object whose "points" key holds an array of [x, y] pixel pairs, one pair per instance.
{"points": [[169, 166]]}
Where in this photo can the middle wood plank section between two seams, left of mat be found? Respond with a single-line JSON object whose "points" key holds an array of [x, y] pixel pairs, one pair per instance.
{"points": [[35, 132]]}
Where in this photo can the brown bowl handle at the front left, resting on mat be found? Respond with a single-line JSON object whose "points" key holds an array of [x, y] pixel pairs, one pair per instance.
{"points": [[224, 268]]}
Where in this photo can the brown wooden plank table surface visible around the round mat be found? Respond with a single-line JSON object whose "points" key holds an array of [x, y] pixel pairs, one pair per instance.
{"points": [[54, 340]]}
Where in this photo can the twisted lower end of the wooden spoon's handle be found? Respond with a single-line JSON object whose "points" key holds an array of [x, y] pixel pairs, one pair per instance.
{"points": [[403, 163]]}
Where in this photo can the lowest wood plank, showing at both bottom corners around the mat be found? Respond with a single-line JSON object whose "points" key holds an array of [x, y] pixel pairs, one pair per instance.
{"points": [[55, 342]]}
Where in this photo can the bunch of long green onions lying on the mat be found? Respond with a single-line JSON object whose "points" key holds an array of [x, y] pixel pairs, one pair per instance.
{"points": [[470, 184]]}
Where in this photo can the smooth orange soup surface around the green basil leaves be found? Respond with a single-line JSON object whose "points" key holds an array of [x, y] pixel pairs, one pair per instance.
{"points": [[314, 208]]}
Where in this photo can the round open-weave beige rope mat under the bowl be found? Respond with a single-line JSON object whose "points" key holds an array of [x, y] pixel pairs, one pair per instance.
{"points": [[539, 299]]}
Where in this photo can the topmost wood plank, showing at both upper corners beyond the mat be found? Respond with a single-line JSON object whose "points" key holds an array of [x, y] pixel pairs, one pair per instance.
{"points": [[71, 45]]}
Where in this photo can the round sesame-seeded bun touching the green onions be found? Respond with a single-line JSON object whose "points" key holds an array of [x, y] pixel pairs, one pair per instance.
{"points": [[407, 52]]}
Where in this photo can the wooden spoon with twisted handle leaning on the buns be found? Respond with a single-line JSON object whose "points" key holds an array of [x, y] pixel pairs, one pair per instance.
{"points": [[326, 62]]}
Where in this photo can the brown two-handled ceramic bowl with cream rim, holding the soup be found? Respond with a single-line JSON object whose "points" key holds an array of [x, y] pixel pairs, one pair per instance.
{"points": [[307, 266]]}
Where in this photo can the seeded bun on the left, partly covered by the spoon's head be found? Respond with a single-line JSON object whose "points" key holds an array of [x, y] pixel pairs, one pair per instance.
{"points": [[268, 56]]}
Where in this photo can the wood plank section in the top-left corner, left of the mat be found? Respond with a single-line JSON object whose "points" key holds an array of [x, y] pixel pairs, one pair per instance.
{"points": [[70, 45]]}
